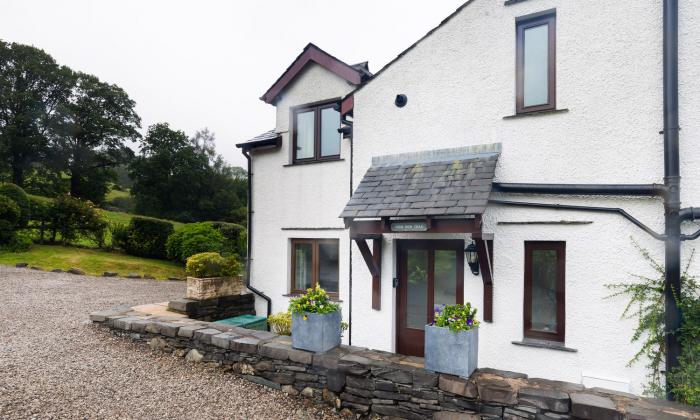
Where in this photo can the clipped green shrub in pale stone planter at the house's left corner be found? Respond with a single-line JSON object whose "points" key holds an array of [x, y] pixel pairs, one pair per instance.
{"points": [[209, 275]]}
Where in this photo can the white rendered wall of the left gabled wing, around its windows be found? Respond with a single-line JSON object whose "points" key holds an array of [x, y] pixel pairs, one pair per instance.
{"points": [[306, 198]]}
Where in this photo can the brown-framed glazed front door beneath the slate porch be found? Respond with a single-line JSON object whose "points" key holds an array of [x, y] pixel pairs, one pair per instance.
{"points": [[430, 273]]}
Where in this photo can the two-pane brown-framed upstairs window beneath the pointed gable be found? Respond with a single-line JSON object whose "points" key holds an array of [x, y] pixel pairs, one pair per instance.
{"points": [[316, 136]]}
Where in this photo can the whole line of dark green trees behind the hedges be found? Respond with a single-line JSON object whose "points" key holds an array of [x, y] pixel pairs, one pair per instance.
{"points": [[63, 131]]}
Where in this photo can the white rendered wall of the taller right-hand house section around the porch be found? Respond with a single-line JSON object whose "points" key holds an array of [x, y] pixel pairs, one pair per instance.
{"points": [[460, 83]]}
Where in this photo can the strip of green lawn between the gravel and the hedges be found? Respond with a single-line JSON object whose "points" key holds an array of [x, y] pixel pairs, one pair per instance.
{"points": [[92, 261]]}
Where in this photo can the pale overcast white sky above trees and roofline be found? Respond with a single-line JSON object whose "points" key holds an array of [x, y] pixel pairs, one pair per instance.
{"points": [[201, 63]]}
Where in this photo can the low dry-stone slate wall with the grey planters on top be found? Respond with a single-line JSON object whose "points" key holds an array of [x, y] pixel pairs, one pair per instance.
{"points": [[372, 383]]}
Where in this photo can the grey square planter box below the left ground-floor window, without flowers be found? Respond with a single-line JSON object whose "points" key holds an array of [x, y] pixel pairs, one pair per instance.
{"points": [[318, 333]]}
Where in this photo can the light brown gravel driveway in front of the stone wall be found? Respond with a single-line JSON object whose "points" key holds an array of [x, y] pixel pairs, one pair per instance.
{"points": [[55, 365]]}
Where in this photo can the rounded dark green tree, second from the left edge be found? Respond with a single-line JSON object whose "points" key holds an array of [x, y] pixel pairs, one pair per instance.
{"points": [[96, 122]]}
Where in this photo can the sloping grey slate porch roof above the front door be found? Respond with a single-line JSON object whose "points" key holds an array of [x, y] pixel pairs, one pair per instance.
{"points": [[445, 182]]}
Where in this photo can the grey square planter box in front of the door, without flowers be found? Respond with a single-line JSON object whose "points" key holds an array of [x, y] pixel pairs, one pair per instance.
{"points": [[450, 352]]}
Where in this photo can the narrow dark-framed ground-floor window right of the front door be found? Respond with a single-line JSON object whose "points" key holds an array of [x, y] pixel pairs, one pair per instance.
{"points": [[544, 304]]}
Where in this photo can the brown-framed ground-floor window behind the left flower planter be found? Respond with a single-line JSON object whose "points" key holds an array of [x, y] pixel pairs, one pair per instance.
{"points": [[315, 261]]}
